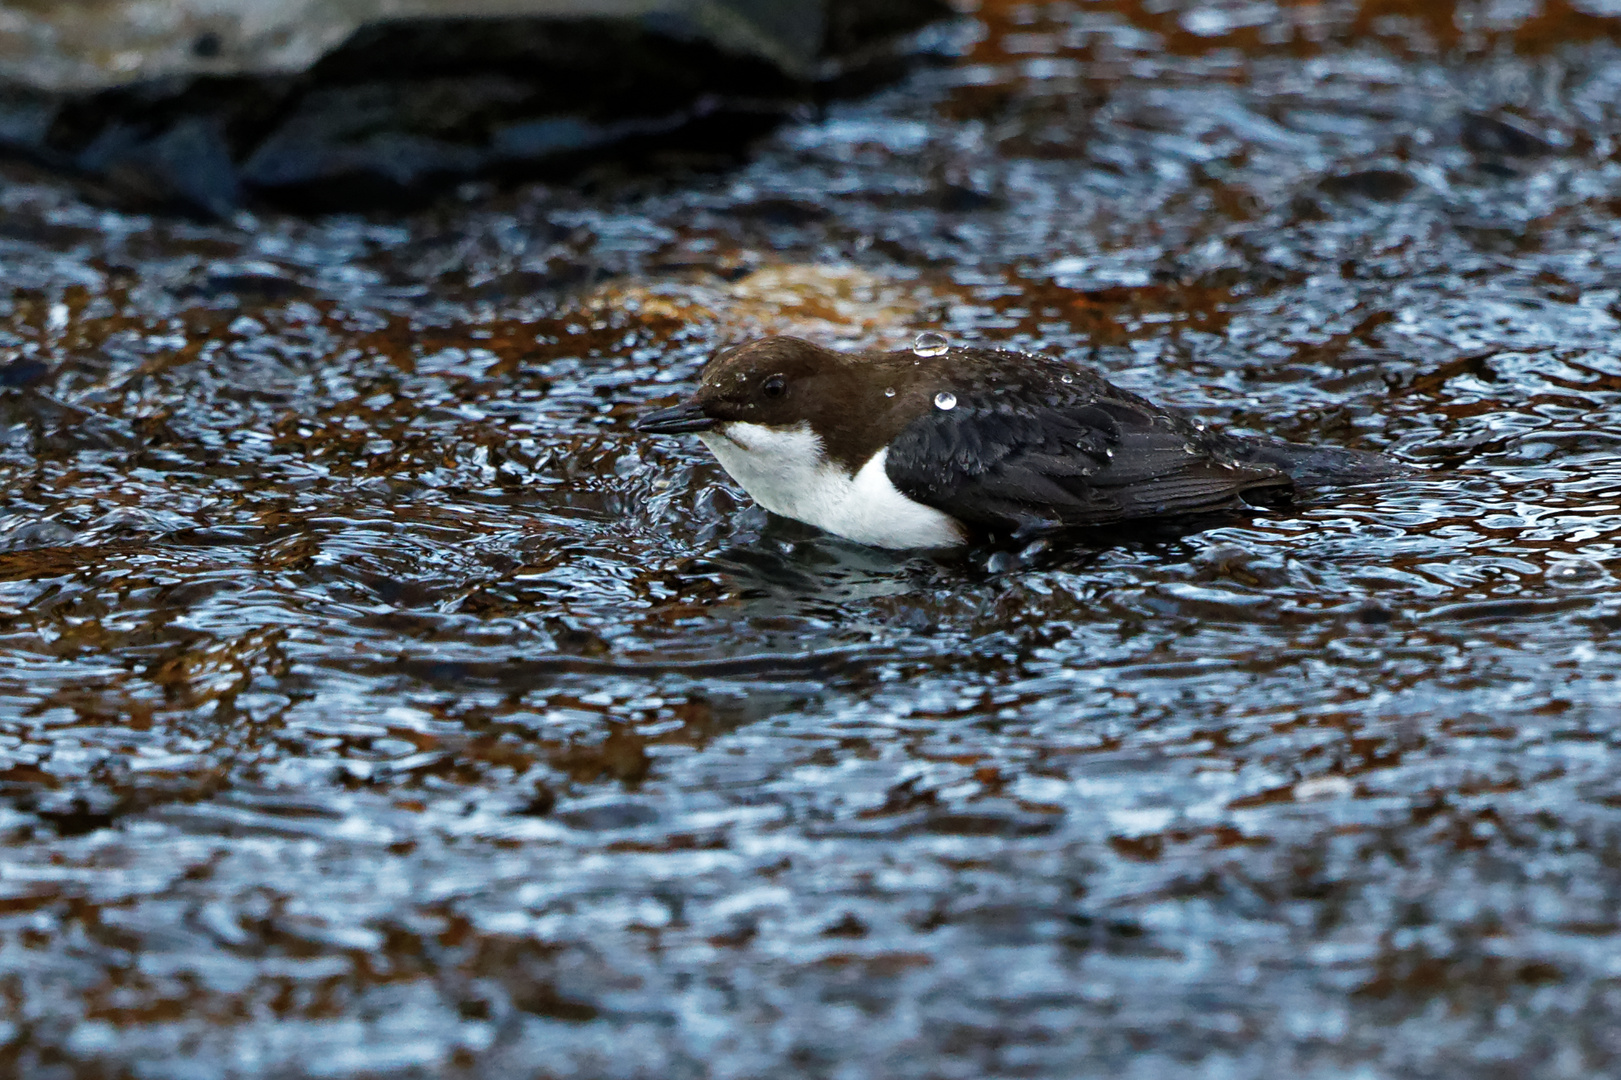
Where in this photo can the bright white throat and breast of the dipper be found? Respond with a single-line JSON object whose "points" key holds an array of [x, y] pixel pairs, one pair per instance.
{"points": [[787, 473]]}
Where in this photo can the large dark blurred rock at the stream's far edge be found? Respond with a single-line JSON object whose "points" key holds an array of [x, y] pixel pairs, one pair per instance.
{"points": [[203, 106]]}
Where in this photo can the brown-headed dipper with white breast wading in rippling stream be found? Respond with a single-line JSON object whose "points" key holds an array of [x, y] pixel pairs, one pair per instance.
{"points": [[923, 448]]}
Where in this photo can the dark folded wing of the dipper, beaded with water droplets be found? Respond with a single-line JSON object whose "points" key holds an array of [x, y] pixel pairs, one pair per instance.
{"points": [[1041, 453]]}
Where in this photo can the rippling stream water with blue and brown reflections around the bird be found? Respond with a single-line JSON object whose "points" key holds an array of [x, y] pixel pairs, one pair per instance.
{"points": [[379, 703]]}
